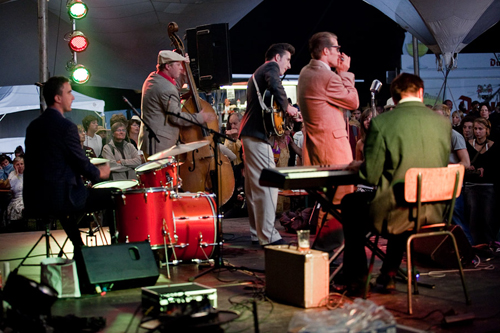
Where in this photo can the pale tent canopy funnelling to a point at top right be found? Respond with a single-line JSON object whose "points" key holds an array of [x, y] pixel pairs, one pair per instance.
{"points": [[444, 26]]}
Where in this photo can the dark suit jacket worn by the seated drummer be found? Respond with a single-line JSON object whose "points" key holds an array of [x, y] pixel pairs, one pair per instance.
{"points": [[54, 164]]}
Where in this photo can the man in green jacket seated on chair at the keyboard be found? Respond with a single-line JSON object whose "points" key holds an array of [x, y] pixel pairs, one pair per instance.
{"points": [[409, 136]]}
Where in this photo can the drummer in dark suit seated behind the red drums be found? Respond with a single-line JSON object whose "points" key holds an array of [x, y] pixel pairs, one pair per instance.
{"points": [[54, 165]]}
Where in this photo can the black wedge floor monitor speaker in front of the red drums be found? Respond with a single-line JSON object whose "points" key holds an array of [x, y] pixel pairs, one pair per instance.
{"points": [[127, 265]]}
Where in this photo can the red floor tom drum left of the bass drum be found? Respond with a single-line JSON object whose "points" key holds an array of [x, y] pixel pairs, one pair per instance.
{"points": [[143, 214]]}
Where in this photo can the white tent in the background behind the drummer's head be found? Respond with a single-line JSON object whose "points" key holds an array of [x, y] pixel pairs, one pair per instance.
{"points": [[19, 105]]}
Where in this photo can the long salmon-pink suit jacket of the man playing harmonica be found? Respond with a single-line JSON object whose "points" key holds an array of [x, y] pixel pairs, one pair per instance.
{"points": [[321, 94]]}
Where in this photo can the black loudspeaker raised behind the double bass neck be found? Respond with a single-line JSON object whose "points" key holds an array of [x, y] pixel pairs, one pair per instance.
{"points": [[209, 52]]}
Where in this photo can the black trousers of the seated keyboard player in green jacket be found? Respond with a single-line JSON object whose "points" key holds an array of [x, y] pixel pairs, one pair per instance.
{"points": [[356, 224]]}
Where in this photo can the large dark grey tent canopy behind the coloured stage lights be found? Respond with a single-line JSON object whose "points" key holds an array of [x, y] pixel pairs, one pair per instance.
{"points": [[124, 36]]}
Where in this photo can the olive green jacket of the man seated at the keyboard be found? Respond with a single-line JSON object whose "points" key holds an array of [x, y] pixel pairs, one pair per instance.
{"points": [[410, 136]]}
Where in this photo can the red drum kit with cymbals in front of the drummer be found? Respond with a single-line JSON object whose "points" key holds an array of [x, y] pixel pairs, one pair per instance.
{"points": [[151, 208]]}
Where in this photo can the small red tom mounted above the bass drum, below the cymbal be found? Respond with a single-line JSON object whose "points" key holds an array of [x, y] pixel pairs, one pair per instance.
{"points": [[161, 173]]}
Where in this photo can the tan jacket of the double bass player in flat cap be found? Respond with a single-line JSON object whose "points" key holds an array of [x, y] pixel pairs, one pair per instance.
{"points": [[159, 96]]}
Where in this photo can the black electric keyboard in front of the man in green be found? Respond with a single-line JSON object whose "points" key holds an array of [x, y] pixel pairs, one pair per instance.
{"points": [[308, 177]]}
